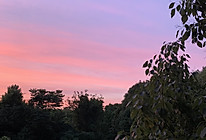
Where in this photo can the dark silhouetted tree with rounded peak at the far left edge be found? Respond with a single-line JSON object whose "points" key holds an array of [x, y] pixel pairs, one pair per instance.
{"points": [[13, 112]]}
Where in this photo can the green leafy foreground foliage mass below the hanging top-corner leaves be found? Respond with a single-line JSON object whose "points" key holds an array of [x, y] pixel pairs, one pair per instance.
{"points": [[167, 107]]}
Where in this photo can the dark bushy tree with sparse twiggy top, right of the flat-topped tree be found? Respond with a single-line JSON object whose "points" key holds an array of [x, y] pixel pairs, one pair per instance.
{"points": [[88, 111]]}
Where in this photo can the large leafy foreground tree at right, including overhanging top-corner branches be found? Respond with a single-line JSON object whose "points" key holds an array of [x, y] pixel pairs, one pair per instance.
{"points": [[172, 105]]}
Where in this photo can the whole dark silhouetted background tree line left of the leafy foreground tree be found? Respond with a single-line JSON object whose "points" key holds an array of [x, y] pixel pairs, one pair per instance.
{"points": [[44, 116]]}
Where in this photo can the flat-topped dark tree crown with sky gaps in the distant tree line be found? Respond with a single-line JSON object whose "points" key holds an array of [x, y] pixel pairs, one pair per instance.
{"points": [[41, 98]]}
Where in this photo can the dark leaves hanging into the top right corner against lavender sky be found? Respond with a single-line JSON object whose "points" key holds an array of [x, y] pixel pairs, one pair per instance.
{"points": [[193, 17]]}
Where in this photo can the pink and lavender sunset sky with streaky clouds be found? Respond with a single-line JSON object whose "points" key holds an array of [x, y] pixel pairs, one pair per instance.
{"points": [[98, 45]]}
